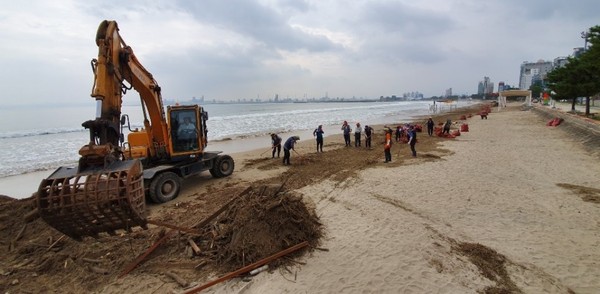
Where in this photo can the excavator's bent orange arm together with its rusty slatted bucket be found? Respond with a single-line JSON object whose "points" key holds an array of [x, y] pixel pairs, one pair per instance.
{"points": [[106, 192]]}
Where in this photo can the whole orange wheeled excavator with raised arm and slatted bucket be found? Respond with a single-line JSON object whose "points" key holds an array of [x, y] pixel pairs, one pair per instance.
{"points": [[107, 191]]}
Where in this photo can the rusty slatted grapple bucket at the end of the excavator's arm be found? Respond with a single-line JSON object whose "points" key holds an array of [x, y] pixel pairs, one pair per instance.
{"points": [[95, 201]]}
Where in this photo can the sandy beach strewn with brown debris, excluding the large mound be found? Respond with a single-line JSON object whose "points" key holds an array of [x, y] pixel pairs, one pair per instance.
{"points": [[512, 206]]}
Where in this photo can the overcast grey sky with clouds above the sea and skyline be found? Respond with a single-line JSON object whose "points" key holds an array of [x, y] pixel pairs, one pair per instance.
{"points": [[227, 50]]}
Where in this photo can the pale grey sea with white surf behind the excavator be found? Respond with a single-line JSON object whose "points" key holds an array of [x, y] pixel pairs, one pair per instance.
{"points": [[43, 138]]}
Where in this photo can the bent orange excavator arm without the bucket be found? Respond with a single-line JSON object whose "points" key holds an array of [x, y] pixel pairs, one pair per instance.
{"points": [[116, 67]]}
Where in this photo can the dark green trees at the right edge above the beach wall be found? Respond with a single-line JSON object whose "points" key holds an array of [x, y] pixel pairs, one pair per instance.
{"points": [[580, 77]]}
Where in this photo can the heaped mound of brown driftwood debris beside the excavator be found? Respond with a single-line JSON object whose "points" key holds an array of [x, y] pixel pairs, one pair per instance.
{"points": [[263, 222]]}
